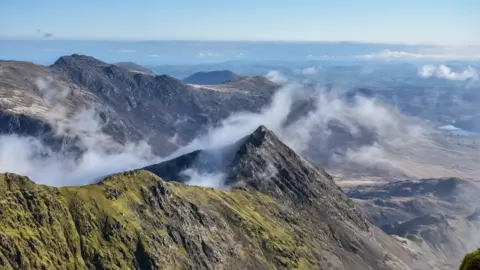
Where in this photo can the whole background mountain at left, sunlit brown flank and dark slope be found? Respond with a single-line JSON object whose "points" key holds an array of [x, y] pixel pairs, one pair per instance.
{"points": [[130, 106]]}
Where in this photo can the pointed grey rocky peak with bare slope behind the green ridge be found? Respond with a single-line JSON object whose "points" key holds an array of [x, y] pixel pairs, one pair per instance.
{"points": [[261, 163]]}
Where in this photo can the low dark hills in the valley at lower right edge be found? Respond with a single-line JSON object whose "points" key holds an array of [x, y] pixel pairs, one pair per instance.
{"points": [[437, 216]]}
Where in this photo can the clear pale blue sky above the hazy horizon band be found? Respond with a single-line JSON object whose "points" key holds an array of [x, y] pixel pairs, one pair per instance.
{"points": [[379, 21]]}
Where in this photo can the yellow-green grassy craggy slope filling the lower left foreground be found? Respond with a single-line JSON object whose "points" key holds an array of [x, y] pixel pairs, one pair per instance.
{"points": [[136, 220]]}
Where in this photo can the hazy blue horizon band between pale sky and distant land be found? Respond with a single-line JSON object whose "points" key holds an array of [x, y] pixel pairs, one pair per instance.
{"points": [[46, 51]]}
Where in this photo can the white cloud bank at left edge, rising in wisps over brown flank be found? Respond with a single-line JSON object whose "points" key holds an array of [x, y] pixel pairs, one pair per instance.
{"points": [[94, 154]]}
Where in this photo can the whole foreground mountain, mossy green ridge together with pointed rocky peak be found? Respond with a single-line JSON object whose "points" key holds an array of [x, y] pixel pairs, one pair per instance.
{"points": [[137, 220]]}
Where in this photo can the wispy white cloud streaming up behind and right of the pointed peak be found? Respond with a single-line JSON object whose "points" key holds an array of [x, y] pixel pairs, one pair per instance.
{"points": [[372, 127]]}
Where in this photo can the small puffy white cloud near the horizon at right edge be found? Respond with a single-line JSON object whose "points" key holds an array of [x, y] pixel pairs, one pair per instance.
{"points": [[445, 72]]}
